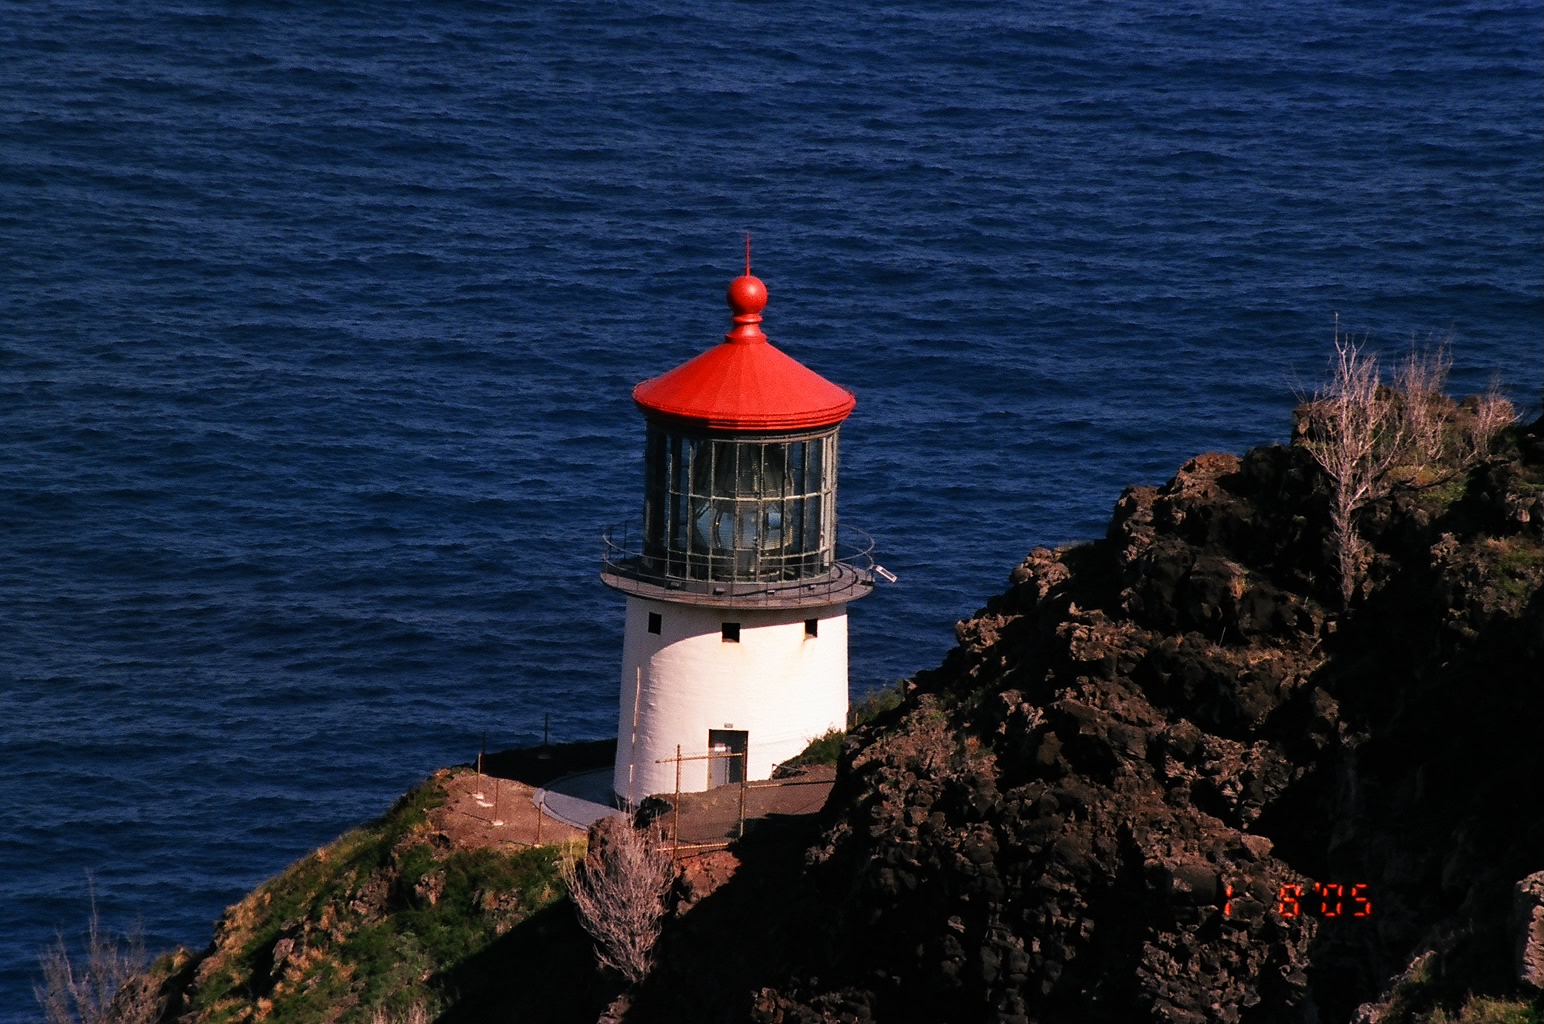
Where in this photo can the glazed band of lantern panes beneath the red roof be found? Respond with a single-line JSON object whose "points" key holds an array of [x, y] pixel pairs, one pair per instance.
{"points": [[740, 510]]}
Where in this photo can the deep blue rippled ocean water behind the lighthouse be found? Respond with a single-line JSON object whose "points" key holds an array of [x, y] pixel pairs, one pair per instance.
{"points": [[320, 324]]}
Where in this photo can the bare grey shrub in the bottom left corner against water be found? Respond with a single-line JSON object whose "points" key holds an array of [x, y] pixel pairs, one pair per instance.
{"points": [[104, 988]]}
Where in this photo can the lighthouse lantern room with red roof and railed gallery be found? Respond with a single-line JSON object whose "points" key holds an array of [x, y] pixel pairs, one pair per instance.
{"points": [[740, 473]]}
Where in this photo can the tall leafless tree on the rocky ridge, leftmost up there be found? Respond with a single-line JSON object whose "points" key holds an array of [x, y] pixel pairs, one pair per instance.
{"points": [[1356, 433]]}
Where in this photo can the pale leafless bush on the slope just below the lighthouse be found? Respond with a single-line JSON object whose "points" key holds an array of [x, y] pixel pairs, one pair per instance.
{"points": [[620, 892]]}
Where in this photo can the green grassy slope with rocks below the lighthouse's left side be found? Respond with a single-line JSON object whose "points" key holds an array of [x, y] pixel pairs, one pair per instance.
{"points": [[368, 924]]}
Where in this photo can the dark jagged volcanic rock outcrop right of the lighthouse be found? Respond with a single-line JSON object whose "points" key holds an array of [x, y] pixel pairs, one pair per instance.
{"points": [[1092, 810]]}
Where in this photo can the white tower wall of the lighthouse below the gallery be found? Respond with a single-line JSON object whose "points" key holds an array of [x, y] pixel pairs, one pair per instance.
{"points": [[779, 685]]}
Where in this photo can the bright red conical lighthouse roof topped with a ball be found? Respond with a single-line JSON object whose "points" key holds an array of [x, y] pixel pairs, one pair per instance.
{"points": [[745, 384]]}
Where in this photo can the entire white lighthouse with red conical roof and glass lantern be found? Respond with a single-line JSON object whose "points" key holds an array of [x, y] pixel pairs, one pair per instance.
{"points": [[736, 642]]}
